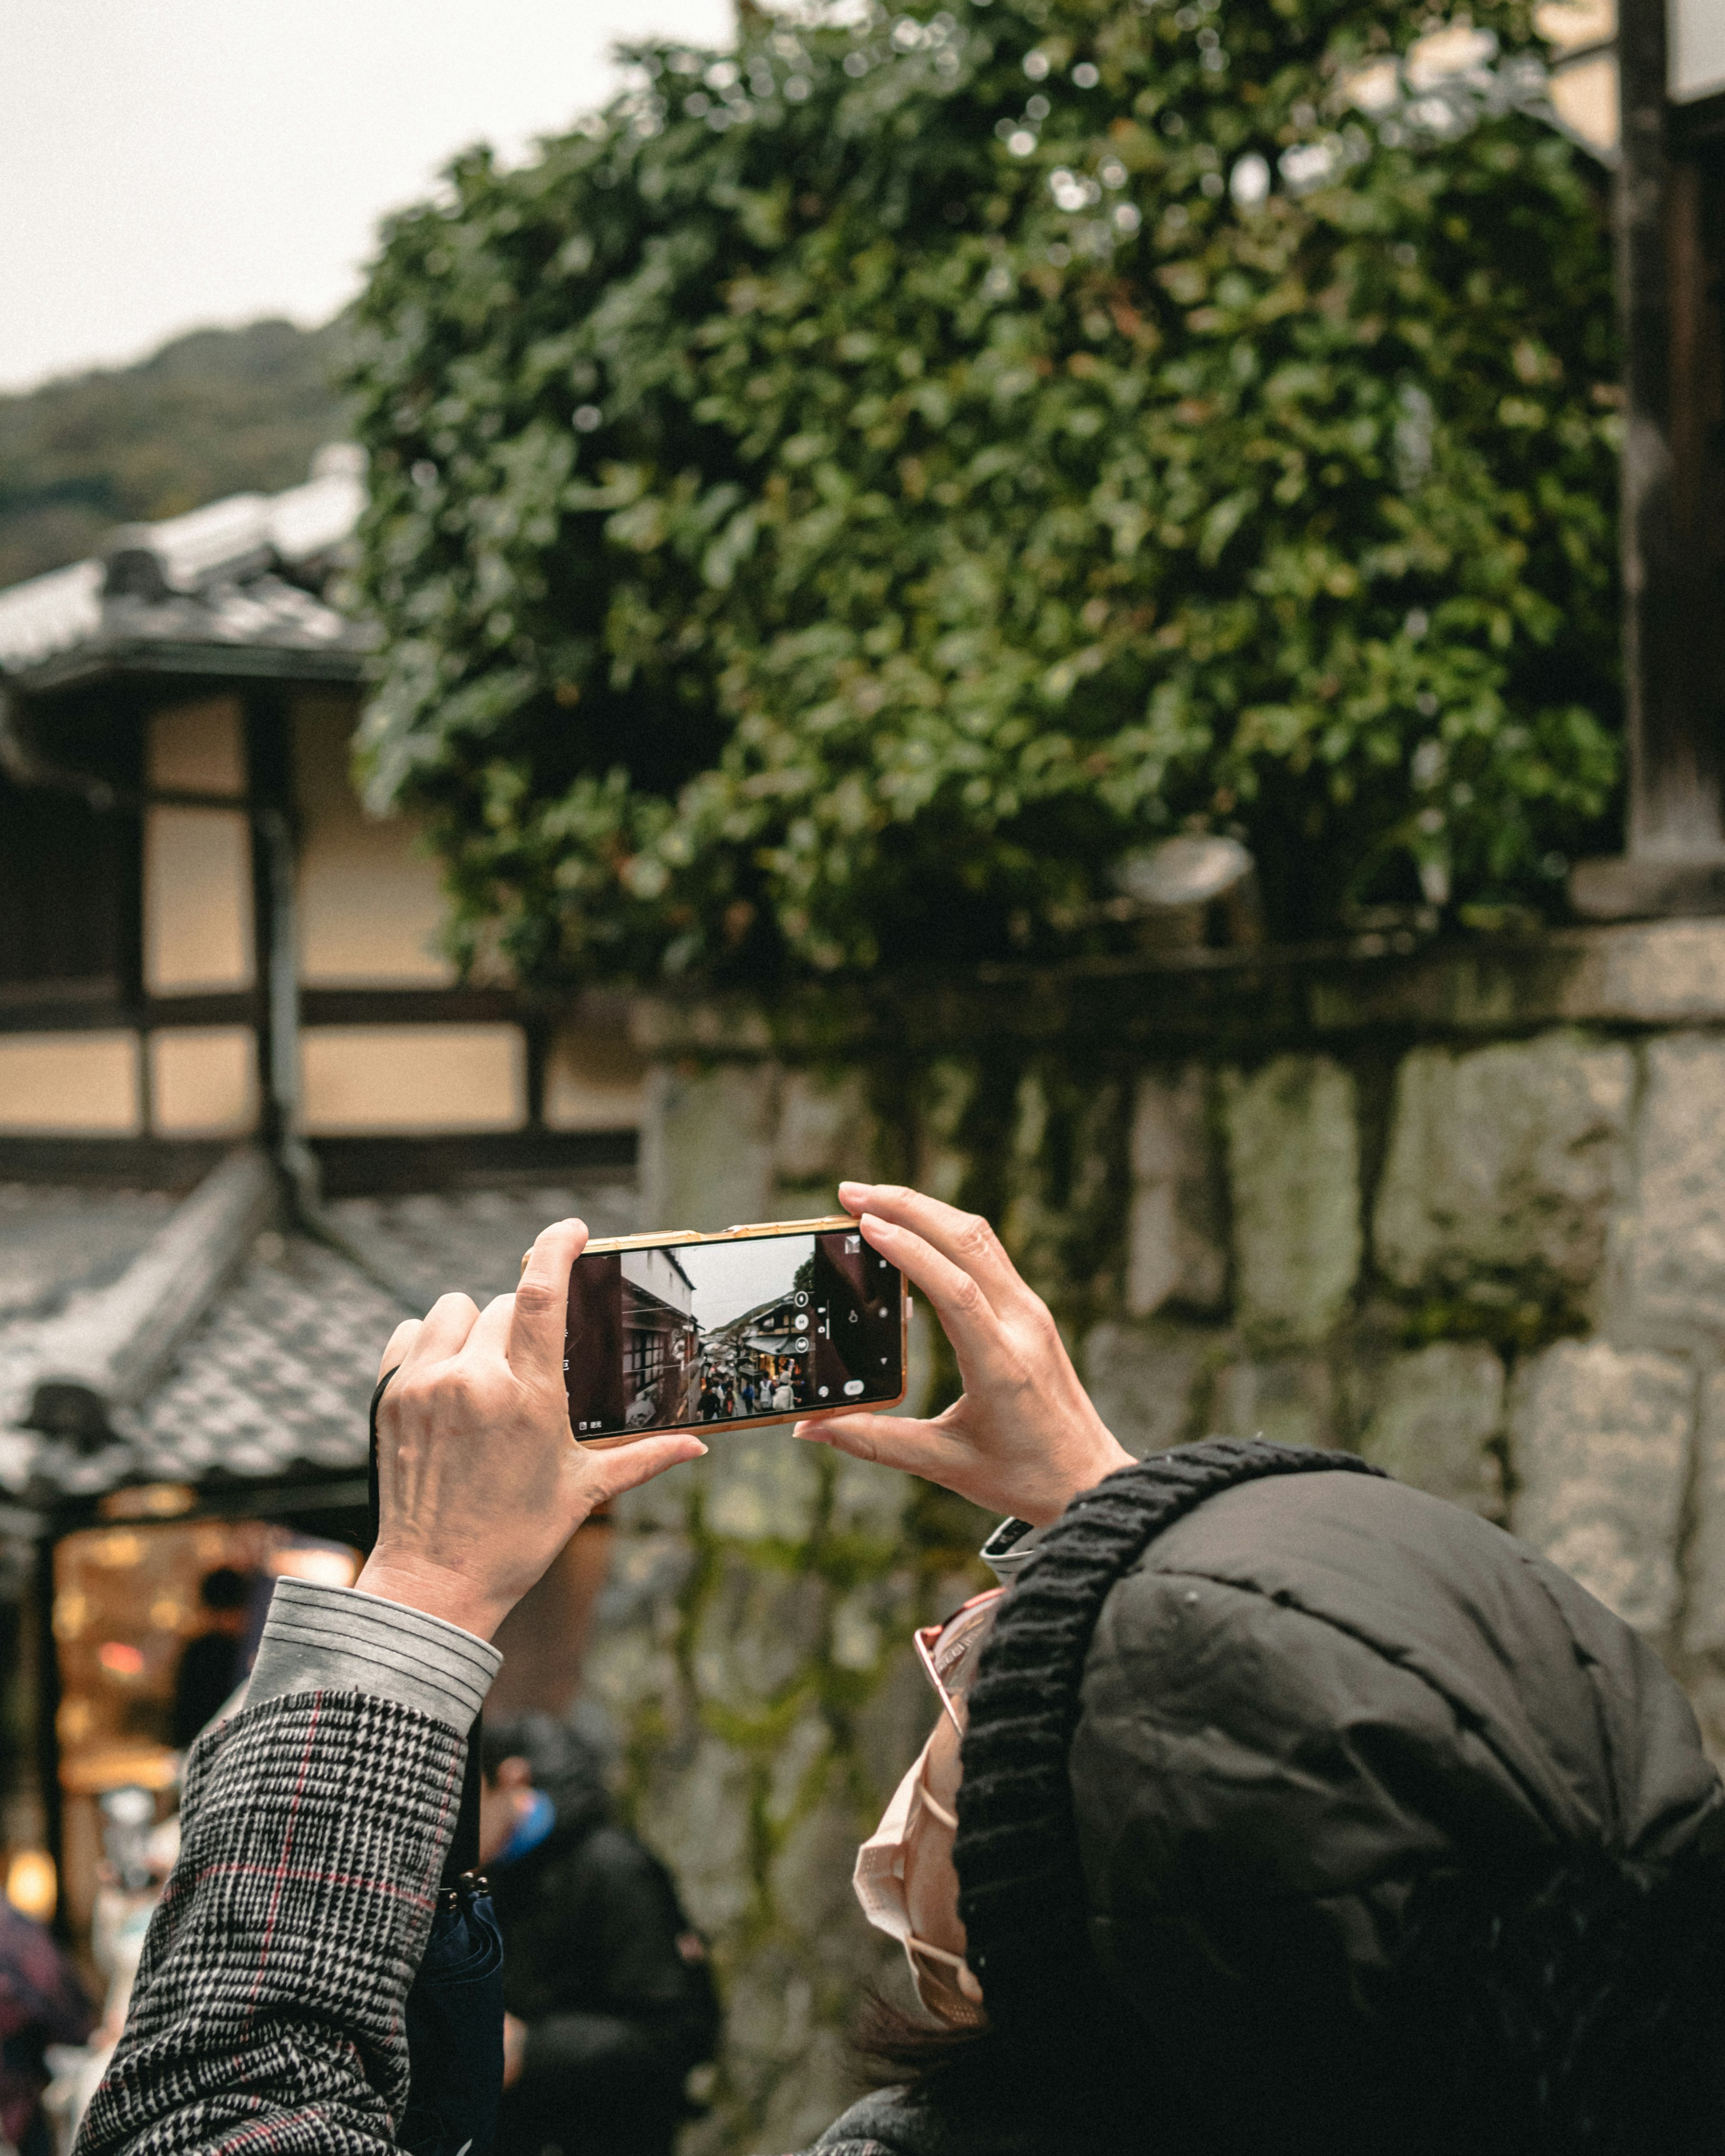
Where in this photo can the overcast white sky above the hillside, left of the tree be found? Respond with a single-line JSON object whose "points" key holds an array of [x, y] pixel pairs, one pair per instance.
{"points": [[182, 163]]}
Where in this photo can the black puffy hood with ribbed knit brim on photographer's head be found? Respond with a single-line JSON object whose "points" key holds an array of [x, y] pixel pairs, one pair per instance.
{"points": [[1252, 1715]]}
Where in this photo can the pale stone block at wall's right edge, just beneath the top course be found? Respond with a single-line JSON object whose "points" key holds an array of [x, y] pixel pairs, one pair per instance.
{"points": [[1668, 1271]]}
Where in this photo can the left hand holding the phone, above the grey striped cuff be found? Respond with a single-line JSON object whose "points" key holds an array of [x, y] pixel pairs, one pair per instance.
{"points": [[480, 1480]]}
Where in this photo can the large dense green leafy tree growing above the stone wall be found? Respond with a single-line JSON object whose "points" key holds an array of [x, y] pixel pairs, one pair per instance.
{"points": [[836, 503]]}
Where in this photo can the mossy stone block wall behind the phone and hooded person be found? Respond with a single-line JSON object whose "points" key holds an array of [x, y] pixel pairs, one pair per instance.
{"points": [[1461, 1211]]}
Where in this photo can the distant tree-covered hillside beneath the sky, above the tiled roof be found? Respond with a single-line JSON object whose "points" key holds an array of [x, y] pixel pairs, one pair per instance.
{"points": [[212, 413]]}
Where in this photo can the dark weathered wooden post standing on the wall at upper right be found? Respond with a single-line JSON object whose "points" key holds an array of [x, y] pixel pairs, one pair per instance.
{"points": [[1668, 305]]}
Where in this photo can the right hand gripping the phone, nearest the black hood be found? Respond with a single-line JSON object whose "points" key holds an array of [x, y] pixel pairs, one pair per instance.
{"points": [[1023, 1437]]}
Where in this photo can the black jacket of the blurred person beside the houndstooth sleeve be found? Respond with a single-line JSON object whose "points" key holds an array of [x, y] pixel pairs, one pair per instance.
{"points": [[613, 1985]]}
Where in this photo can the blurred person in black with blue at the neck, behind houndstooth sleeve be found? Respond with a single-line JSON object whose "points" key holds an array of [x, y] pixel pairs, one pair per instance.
{"points": [[607, 1985]]}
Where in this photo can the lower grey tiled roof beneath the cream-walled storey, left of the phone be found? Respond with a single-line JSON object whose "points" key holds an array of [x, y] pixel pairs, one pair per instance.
{"points": [[277, 1377]]}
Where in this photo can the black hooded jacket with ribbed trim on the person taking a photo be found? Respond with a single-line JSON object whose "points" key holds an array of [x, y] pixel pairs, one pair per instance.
{"points": [[1303, 1810]]}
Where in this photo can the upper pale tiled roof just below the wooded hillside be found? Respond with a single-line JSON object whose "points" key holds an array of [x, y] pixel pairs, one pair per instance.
{"points": [[230, 575]]}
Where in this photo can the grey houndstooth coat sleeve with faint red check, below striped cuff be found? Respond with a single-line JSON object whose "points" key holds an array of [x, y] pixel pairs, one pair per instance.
{"points": [[268, 2002]]}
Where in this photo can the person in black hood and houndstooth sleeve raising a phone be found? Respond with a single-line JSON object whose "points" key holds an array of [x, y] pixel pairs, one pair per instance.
{"points": [[1267, 1806]]}
